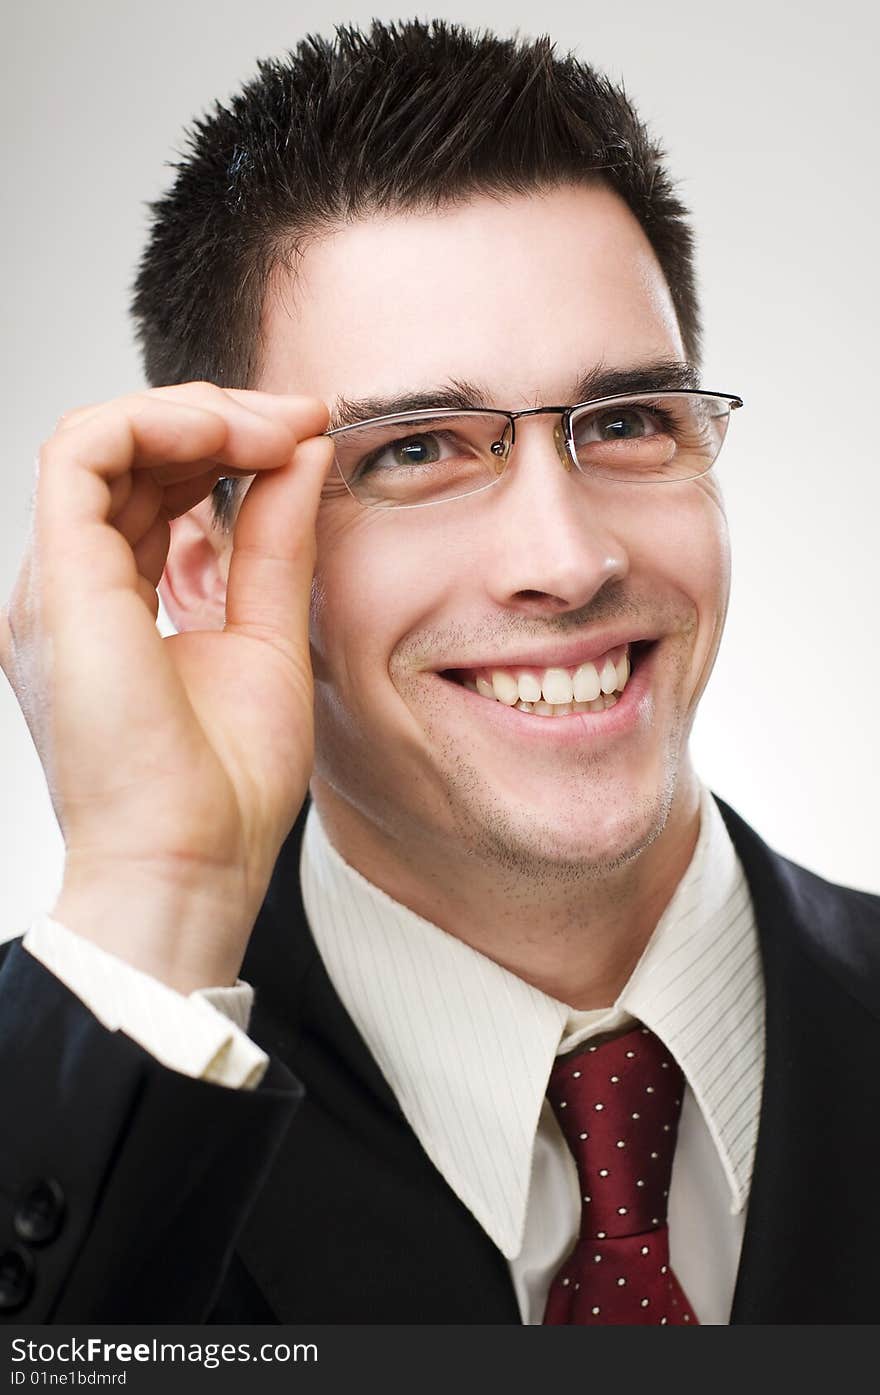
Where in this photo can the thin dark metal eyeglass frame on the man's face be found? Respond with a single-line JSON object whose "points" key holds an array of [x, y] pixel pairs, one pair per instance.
{"points": [[564, 437]]}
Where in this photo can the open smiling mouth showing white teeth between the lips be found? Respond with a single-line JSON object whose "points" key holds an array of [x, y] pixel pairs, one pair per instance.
{"points": [[557, 693]]}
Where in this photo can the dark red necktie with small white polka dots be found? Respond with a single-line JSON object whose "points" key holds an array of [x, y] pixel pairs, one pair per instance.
{"points": [[619, 1106]]}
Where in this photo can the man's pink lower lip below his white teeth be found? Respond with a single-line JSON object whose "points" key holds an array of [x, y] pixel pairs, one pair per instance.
{"points": [[631, 711]]}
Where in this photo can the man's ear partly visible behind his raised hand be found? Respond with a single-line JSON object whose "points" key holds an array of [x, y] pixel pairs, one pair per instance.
{"points": [[193, 587]]}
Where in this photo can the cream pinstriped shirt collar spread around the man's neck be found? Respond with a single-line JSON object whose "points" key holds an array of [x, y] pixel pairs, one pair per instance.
{"points": [[466, 1047]]}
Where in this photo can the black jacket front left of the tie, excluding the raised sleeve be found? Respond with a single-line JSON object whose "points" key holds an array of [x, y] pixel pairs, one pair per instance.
{"points": [[355, 1224]]}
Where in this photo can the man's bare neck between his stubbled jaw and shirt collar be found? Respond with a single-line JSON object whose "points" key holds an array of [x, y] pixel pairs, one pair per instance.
{"points": [[575, 940]]}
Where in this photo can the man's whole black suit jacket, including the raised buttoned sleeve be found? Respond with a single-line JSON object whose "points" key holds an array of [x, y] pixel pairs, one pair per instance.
{"points": [[310, 1200]]}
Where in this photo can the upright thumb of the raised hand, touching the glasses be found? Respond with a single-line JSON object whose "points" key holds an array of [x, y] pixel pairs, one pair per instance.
{"points": [[274, 548]]}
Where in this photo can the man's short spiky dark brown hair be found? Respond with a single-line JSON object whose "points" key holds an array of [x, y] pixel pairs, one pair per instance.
{"points": [[401, 116]]}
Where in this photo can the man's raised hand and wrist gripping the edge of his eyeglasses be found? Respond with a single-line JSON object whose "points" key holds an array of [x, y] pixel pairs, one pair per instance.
{"points": [[176, 767]]}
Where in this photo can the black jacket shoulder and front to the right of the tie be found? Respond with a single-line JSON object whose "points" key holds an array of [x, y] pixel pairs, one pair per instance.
{"points": [[814, 1223]]}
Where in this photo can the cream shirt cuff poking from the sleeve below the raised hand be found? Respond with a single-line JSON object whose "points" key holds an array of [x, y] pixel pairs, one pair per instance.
{"points": [[202, 1036]]}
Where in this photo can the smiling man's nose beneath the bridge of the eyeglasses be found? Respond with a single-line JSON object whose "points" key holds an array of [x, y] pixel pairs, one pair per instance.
{"points": [[554, 542]]}
